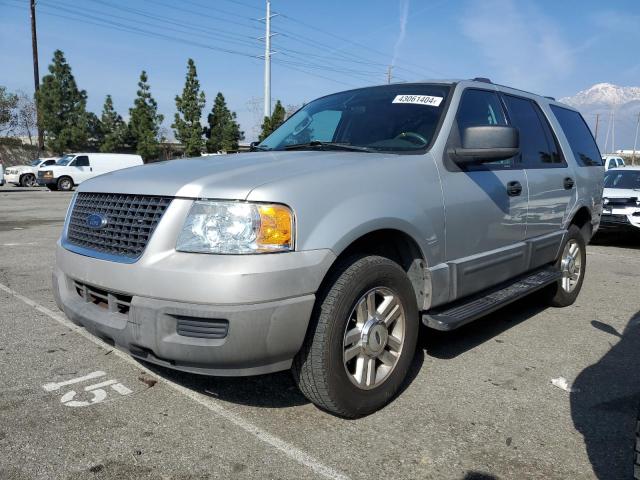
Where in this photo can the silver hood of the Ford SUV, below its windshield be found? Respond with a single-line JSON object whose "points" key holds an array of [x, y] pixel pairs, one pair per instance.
{"points": [[230, 177]]}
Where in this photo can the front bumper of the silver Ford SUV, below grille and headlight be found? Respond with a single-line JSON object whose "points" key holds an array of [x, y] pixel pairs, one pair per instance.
{"points": [[266, 299]]}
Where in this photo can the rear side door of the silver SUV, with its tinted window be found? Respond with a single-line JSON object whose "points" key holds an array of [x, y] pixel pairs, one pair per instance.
{"points": [[551, 181]]}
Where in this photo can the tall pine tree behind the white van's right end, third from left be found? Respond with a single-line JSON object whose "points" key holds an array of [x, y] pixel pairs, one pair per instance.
{"points": [[144, 122]]}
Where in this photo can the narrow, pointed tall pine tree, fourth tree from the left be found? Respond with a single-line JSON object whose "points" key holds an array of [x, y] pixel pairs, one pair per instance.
{"points": [[186, 123]]}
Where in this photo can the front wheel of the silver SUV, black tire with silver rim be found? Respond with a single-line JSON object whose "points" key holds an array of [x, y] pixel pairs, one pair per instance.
{"points": [[321, 370]]}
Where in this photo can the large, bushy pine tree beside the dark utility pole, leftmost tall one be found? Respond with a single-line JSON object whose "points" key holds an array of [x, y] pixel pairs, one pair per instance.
{"points": [[64, 117]]}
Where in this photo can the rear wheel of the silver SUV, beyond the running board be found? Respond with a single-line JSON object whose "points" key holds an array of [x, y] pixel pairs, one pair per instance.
{"points": [[564, 292]]}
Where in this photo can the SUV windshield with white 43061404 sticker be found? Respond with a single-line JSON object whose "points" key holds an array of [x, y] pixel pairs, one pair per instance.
{"points": [[390, 118]]}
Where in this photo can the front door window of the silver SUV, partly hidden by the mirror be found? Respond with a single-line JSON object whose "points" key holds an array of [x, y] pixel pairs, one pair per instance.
{"points": [[481, 108]]}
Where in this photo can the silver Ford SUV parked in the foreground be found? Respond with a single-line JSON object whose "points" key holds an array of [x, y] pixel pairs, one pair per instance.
{"points": [[365, 214]]}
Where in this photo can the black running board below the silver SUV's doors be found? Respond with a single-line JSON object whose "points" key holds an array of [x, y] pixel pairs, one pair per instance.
{"points": [[461, 312]]}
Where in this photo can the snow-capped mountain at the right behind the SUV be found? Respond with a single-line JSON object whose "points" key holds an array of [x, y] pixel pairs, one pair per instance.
{"points": [[616, 109]]}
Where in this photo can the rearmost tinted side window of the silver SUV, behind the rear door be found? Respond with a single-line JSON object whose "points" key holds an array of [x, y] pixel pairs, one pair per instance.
{"points": [[583, 146]]}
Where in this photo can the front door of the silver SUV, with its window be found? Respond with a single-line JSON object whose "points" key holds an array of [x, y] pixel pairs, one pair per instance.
{"points": [[485, 206]]}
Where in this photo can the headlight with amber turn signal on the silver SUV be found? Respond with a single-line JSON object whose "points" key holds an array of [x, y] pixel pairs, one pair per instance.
{"points": [[236, 227]]}
